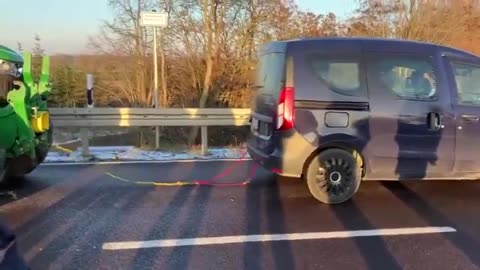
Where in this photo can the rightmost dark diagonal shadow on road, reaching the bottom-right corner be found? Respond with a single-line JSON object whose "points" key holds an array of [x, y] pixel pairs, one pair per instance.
{"points": [[462, 240]]}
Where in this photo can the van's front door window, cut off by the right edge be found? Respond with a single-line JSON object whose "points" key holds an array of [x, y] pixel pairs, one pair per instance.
{"points": [[467, 78]]}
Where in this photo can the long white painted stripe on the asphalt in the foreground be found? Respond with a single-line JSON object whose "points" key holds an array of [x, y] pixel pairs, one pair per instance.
{"points": [[272, 237]]}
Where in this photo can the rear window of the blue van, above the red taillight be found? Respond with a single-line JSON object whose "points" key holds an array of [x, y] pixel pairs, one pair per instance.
{"points": [[270, 73]]}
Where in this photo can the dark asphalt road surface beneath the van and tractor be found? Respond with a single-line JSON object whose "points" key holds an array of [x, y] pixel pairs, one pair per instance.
{"points": [[64, 214]]}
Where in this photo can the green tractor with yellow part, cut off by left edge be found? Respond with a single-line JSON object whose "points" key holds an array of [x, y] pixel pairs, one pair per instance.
{"points": [[25, 131]]}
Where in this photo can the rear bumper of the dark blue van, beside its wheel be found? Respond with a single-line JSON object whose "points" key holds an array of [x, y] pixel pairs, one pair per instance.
{"points": [[287, 161]]}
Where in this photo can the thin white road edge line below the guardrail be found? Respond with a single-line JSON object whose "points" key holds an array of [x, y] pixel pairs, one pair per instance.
{"points": [[140, 162]]}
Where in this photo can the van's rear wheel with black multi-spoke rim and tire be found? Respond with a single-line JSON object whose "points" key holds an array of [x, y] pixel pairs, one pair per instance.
{"points": [[334, 176]]}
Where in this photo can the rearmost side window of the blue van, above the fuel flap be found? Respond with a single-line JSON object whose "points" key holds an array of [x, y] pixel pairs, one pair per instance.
{"points": [[339, 75]]}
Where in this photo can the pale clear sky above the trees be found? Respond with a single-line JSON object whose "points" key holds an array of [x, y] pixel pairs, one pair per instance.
{"points": [[65, 25]]}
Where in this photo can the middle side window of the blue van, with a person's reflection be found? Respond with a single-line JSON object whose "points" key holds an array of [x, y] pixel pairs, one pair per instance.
{"points": [[407, 77]]}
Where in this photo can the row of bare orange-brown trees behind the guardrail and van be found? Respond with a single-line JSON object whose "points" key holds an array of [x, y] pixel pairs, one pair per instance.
{"points": [[209, 47]]}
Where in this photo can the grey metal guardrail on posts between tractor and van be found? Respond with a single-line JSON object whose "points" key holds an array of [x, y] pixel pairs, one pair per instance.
{"points": [[86, 118]]}
